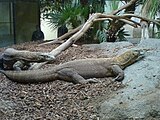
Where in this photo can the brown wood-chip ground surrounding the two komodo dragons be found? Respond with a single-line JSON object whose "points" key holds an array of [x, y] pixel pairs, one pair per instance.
{"points": [[57, 100]]}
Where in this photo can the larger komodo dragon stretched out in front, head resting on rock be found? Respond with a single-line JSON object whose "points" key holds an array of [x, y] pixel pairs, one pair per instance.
{"points": [[78, 71]]}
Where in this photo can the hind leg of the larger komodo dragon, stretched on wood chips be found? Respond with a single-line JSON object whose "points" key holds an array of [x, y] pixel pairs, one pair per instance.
{"points": [[71, 75]]}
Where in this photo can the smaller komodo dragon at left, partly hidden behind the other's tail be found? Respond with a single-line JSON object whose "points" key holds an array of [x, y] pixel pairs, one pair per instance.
{"points": [[17, 59]]}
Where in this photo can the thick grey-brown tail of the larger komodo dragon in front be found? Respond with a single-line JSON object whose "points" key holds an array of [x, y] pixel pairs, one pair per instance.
{"points": [[30, 76]]}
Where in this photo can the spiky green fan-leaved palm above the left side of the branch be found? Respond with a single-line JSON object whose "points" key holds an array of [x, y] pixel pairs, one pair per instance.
{"points": [[68, 14]]}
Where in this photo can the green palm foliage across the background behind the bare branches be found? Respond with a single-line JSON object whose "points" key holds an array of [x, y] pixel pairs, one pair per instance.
{"points": [[73, 14]]}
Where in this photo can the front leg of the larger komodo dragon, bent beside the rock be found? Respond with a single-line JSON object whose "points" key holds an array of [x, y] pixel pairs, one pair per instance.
{"points": [[118, 72]]}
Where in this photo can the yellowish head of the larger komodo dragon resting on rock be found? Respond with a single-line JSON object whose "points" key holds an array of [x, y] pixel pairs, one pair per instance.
{"points": [[129, 58]]}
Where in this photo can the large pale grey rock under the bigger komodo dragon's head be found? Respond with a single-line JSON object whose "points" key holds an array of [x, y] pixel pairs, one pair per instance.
{"points": [[140, 98]]}
